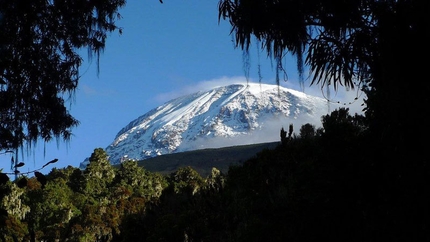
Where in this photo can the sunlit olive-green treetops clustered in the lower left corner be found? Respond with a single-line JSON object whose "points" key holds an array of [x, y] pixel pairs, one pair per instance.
{"points": [[89, 205]]}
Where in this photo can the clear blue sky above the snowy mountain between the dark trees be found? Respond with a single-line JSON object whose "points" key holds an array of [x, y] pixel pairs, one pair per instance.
{"points": [[165, 50]]}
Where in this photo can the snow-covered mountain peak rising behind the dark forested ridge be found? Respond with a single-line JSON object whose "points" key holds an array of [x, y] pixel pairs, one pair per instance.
{"points": [[224, 116]]}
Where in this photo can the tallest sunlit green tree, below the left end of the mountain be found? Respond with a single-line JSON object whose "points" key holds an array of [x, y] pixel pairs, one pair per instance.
{"points": [[99, 214]]}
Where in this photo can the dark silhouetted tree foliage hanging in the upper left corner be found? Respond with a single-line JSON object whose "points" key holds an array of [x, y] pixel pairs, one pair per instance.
{"points": [[39, 63]]}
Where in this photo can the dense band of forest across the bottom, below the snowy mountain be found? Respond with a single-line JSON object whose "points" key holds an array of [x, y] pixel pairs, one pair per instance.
{"points": [[303, 190]]}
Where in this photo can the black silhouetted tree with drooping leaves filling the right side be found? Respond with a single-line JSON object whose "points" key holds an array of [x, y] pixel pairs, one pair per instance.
{"points": [[366, 44]]}
